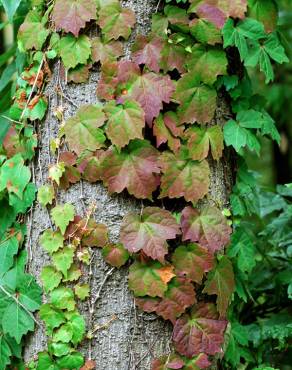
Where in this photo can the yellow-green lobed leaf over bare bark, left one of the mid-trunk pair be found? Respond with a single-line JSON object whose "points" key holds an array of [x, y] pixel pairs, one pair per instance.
{"points": [[83, 130]]}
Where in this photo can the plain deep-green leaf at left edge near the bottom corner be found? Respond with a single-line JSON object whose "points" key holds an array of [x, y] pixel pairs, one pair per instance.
{"points": [[16, 321]]}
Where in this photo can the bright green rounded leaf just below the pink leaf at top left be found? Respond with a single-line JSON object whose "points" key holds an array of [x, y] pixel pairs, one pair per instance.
{"points": [[74, 50]]}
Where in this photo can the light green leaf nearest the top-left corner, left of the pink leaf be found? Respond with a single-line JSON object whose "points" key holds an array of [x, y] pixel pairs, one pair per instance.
{"points": [[32, 33]]}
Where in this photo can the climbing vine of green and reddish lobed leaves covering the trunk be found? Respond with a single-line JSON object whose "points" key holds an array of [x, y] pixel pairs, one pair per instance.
{"points": [[154, 134]]}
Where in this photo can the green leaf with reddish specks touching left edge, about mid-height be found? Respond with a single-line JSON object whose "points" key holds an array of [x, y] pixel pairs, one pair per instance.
{"points": [[14, 175]]}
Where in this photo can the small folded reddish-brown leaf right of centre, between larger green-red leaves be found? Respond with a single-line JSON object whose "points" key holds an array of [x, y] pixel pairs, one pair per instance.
{"points": [[167, 130]]}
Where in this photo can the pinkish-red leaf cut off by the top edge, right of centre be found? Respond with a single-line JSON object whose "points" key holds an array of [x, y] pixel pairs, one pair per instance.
{"points": [[217, 11]]}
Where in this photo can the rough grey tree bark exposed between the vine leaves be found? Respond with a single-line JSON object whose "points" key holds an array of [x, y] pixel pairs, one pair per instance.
{"points": [[131, 339]]}
